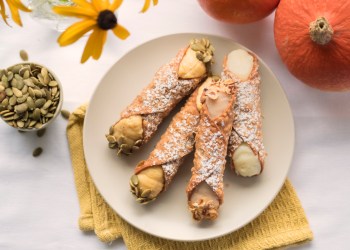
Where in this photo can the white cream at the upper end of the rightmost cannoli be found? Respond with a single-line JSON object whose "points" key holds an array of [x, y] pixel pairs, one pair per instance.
{"points": [[240, 63]]}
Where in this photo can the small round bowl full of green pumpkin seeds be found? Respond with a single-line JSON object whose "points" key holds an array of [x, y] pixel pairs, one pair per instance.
{"points": [[30, 96]]}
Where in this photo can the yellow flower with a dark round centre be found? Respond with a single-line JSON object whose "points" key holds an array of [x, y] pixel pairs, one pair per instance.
{"points": [[98, 16]]}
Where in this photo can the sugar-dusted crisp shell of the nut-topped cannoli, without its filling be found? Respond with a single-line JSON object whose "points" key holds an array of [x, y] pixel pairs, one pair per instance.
{"points": [[211, 148]]}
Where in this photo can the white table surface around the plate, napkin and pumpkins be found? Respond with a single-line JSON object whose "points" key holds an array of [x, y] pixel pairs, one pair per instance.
{"points": [[38, 203]]}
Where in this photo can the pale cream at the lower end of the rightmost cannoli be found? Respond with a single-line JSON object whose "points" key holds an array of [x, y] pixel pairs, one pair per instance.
{"points": [[246, 163]]}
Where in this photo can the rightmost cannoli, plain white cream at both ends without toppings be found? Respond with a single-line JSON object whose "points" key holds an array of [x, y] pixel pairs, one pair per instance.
{"points": [[246, 147]]}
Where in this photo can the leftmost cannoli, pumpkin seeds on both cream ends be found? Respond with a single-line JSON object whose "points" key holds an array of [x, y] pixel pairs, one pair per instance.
{"points": [[170, 84]]}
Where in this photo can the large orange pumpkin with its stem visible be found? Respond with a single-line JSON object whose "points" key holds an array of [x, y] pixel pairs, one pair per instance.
{"points": [[313, 40]]}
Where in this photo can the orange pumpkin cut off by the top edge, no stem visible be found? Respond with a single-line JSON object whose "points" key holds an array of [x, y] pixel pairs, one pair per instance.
{"points": [[238, 11]]}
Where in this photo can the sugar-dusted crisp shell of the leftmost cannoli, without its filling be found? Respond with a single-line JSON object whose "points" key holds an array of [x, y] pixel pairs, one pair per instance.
{"points": [[157, 99]]}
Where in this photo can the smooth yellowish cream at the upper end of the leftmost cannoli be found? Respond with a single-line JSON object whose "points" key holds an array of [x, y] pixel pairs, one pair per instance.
{"points": [[190, 66]]}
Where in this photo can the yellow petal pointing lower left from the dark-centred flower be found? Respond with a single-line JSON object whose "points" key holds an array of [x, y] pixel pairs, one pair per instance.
{"points": [[75, 31]]}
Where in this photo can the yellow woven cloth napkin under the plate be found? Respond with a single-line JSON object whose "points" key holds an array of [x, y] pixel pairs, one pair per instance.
{"points": [[283, 223]]}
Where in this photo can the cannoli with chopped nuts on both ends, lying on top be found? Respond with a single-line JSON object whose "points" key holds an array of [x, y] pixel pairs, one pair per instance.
{"points": [[205, 188]]}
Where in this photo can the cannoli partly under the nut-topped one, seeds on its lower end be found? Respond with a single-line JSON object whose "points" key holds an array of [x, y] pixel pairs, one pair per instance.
{"points": [[153, 176]]}
